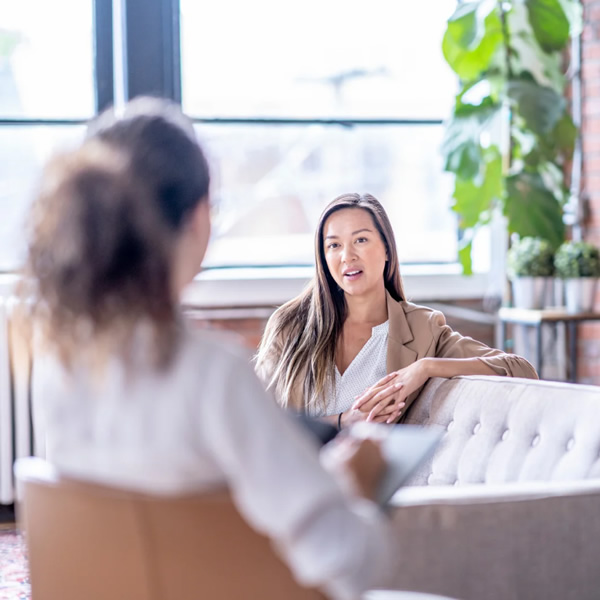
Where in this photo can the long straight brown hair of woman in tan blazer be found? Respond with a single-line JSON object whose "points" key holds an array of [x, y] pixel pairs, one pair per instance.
{"points": [[299, 346]]}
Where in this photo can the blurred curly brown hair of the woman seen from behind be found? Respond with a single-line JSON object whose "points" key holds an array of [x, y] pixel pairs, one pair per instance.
{"points": [[102, 233]]}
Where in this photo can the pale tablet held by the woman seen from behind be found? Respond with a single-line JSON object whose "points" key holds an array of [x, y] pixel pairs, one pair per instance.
{"points": [[404, 447]]}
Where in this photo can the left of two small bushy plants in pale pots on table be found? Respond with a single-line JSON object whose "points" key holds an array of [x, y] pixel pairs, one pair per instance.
{"points": [[530, 268]]}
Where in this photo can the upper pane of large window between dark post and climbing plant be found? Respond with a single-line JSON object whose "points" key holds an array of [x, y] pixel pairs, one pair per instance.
{"points": [[311, 59]]}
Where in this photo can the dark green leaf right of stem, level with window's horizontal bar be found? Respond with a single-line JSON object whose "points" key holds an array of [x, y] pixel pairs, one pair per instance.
{"points": [[540, 106]]}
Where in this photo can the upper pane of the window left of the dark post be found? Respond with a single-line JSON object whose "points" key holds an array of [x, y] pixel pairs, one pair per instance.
{"points": [[46, 59]]}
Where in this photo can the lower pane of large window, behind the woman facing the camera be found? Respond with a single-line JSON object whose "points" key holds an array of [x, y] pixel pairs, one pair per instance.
{"points": [[271, 184]]}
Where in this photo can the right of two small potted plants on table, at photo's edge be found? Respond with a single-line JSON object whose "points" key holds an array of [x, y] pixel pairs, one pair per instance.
{"points": [[578, 264]]}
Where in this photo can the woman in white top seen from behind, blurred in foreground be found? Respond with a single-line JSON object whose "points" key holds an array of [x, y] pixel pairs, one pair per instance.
{"points": [[133, 396]]}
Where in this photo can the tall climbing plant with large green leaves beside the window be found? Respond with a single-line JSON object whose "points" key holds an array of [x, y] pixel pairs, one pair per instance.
{"points": [[507, 55]]}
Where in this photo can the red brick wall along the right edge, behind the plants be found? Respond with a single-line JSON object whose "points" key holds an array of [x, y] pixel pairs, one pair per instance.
{"points": [[589, 335]]}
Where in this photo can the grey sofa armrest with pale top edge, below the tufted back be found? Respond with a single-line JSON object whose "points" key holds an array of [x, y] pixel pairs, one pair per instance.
{"points": [[498, 542]]}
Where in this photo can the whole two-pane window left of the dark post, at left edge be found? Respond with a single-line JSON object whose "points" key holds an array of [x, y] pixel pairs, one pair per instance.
{"points": [[46, 92]]}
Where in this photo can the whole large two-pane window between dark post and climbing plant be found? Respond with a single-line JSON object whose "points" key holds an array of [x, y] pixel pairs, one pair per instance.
{"points": [[299, 102]]}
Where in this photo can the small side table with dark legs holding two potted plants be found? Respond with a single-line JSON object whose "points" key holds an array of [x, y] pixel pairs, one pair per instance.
{"points": [[535, 318]]}
